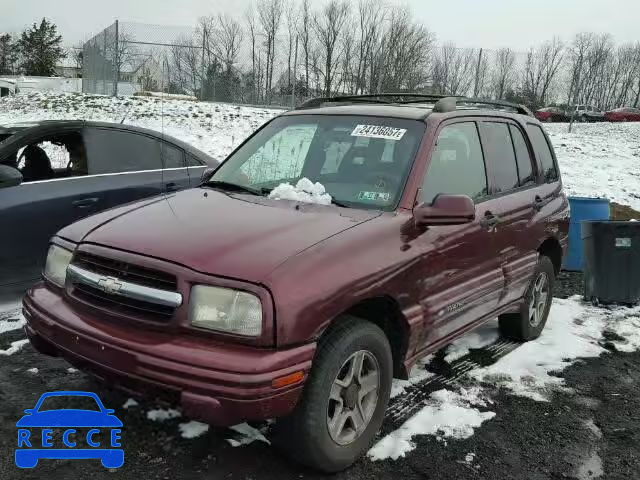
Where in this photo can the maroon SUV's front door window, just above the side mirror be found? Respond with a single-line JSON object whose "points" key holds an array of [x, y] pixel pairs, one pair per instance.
{"points": [[457, 164]]}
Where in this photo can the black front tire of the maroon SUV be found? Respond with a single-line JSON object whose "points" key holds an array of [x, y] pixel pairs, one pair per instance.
{"points": [[305, 435]]}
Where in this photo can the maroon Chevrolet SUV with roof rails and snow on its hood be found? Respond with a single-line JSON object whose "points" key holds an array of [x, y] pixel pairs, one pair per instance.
{"points": [[441, 215]]}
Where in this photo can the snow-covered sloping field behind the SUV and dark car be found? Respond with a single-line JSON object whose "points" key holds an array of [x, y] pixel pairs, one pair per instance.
{"points": [[599, 159]]}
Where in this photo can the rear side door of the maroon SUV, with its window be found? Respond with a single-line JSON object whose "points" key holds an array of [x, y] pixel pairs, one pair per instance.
{"points": [[512, 182]]}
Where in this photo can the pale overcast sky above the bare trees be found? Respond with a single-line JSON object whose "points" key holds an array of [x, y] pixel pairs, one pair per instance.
{"points": [[471, 23]]}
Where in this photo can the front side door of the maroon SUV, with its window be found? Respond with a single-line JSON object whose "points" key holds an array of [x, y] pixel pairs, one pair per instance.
{"points": [[470, 278]]}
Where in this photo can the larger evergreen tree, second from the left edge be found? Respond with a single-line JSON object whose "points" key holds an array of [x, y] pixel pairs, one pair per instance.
{"points": [[41, 48]]}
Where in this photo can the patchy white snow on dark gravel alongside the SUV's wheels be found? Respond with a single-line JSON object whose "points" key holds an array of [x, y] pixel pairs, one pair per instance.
{"points": [[574, 330]]}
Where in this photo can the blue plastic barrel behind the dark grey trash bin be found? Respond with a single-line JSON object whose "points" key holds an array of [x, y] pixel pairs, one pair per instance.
{"points": [[582, 208]]}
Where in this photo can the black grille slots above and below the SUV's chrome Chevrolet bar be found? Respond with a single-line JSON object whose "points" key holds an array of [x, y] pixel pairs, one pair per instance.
{"points": [[125, 272]]}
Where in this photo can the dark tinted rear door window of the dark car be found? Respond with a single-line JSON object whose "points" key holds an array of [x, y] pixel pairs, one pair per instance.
{"points": [[116, 151]]}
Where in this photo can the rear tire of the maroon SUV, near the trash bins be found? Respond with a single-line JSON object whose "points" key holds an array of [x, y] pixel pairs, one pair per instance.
{"points": [[528, 323]]}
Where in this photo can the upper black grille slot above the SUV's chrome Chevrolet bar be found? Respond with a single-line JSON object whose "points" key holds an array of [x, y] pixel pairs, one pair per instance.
{"points": [[126, 271]]}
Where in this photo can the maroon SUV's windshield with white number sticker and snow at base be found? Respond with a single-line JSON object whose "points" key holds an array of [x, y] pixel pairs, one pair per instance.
{"points": [[362, 162]]}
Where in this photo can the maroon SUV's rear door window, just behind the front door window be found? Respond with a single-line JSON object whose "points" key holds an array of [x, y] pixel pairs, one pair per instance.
{"points": [[501, 156]]}
